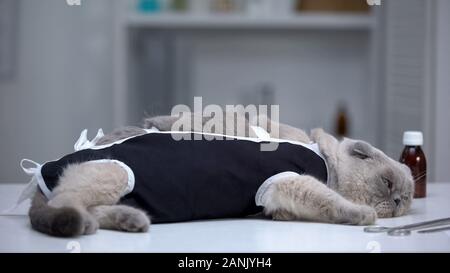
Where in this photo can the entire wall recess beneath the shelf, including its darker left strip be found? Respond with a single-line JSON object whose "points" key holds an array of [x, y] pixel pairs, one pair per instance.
{"points": [[309, 72]]}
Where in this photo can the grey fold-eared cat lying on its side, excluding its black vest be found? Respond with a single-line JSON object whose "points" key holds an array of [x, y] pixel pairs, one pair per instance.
{"points": [[364, 184]]}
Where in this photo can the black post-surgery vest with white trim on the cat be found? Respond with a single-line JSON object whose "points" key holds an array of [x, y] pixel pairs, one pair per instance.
{"points": [[179, 180]]}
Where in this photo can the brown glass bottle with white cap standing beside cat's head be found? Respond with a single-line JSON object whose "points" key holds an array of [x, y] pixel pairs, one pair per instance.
{"points": [[414, 158]]}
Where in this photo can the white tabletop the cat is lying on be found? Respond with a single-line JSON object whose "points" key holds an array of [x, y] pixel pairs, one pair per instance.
{"points": [[235, 235]]}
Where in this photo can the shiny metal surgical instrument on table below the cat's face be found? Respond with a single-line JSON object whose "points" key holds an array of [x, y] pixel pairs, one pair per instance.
{"points": [[406, 229]]}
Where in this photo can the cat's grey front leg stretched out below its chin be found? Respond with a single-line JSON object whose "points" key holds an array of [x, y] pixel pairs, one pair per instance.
{"points": [[303, 197]]}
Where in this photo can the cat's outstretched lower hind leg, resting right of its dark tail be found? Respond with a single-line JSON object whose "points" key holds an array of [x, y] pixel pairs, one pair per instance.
{"points": [[120, 217]]}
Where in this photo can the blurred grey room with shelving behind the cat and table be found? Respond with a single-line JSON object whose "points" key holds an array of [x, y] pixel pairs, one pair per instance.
{"points": [[368, 72]]}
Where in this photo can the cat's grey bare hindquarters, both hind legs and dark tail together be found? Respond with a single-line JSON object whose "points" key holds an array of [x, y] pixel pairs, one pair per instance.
{"points": [[85, 200]]}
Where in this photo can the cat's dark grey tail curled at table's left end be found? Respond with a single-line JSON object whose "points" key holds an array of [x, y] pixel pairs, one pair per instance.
{"points": [[62, 222]]}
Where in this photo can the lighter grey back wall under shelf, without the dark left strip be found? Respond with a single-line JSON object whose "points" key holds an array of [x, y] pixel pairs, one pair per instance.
{"points": [[310, 73]]}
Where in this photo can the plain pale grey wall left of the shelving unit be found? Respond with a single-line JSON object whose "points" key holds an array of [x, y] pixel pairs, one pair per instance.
{"points": [[62, 83]]}
